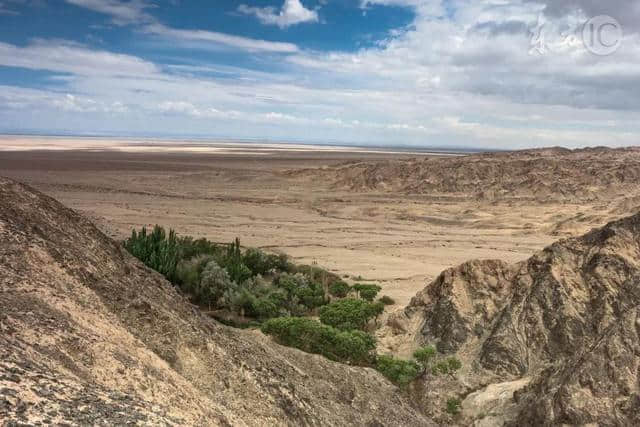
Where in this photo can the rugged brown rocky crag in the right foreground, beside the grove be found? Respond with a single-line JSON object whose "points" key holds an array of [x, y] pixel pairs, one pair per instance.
{"points": [[553, 338]]}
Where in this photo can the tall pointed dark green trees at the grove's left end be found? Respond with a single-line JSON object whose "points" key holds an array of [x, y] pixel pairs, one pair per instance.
{"points": [[156, 250]]}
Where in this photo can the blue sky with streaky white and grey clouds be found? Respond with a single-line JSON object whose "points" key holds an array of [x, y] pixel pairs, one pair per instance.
{"points": [[501, 74]]}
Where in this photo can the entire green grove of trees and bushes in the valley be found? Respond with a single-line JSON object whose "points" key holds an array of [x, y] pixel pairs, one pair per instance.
{"points": [[270, 289]]}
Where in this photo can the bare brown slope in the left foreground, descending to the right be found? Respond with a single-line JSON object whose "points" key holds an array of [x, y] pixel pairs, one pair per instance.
{"points": [[90, 336]]}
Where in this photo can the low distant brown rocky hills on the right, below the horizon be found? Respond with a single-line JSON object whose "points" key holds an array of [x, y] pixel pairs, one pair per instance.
{"points": [[554, 174]]}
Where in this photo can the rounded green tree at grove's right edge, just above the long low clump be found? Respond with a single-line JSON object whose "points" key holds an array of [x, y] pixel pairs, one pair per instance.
{"points": [[349, 314]]}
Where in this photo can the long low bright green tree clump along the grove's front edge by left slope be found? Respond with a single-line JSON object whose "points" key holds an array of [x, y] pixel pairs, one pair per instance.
{"points": [[313, 337]]}
